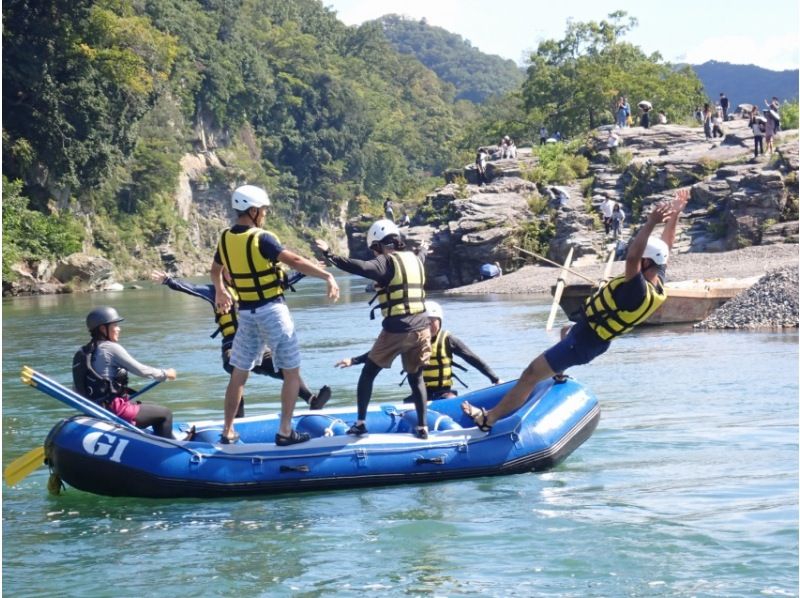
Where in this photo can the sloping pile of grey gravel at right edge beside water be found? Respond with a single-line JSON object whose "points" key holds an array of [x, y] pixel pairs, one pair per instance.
{"points": [[772, 302]]}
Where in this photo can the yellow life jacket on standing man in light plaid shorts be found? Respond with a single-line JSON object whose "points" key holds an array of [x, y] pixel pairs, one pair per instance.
{"points": [[254, 277]]}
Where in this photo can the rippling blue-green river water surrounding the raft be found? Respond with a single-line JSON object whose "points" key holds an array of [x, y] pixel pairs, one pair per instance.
{"points": [[688, 487]]}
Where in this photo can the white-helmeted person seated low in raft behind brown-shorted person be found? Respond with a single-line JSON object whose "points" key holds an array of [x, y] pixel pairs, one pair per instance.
{"points": [[438, 372]]}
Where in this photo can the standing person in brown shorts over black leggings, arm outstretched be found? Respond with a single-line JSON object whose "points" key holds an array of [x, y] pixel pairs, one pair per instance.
{"points": [[399, 281]]}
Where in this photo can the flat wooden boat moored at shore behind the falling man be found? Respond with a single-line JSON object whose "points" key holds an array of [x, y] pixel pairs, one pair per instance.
{"points": [[688, 301]]}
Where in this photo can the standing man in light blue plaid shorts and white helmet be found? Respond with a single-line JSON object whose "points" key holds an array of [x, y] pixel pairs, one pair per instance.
{"points": [[250, 254]]}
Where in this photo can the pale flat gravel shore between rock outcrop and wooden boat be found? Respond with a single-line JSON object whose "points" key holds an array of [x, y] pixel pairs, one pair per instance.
{"points": [[742, 263]]}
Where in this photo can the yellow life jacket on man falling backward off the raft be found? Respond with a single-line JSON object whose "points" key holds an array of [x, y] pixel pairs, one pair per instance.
{"points": [[608, 321]]}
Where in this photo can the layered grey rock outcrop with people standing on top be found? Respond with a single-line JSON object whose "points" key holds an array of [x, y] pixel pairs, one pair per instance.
{"points": [[736, 201]]}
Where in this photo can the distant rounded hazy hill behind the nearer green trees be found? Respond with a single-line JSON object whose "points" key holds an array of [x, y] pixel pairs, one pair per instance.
{"points": [[475, 75]]}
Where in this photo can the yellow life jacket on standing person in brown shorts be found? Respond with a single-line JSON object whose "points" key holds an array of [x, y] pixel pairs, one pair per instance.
{"points": [[405, 293]]}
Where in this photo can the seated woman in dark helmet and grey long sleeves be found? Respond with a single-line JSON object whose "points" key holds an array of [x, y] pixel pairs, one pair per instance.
{"points": [[100, 373]]}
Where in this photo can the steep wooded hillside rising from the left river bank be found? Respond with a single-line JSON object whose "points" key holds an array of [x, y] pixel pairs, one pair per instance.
{"points": [[101, 99]]}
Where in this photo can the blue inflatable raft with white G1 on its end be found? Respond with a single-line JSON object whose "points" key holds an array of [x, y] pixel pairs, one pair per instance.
{"points": [[104, 458]]}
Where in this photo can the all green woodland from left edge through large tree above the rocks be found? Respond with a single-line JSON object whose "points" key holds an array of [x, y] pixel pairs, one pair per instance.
{"points": [[109, 106]]}
